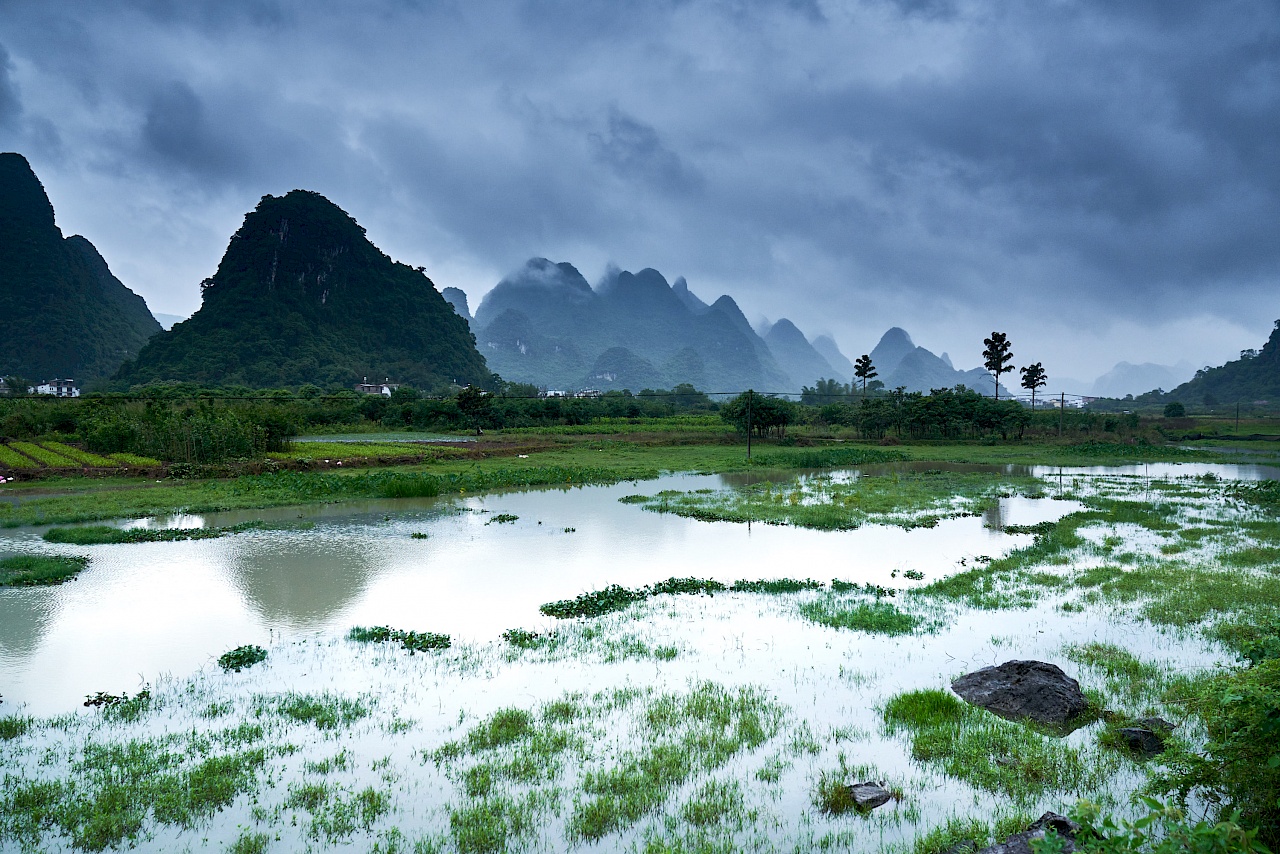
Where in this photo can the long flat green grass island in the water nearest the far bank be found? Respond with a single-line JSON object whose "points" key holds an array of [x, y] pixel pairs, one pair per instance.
{"points": [[906, 500]]}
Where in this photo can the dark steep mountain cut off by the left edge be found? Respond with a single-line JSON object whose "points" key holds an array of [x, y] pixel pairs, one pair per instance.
{"points": [[62, 313]]}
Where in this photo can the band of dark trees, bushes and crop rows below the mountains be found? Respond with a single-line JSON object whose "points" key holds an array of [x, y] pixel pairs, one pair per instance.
{"points": [[108, 433]]}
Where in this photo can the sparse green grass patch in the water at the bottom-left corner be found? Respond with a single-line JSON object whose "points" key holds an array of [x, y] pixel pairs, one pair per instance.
{"points": [[115, 791]]}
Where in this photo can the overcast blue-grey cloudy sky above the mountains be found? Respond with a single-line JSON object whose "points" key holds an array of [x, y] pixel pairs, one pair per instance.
{"points": [[1100, 180]]}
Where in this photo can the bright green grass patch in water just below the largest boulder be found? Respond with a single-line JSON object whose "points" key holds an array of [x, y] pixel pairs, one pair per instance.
{"points": [[986, 752]]}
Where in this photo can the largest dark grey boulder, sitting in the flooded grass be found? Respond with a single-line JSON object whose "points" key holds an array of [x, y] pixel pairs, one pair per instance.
{"points": [[1025, 689]]}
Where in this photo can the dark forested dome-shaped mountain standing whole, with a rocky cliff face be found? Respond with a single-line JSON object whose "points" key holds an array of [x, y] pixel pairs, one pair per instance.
{"points": [[301, 296]]}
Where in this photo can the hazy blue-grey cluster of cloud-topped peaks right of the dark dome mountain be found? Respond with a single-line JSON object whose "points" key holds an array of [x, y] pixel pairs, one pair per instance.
{"points": [[546, 325]]}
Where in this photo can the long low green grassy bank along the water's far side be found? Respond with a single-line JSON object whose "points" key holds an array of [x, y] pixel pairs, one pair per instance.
{"points": [[508, 462]]}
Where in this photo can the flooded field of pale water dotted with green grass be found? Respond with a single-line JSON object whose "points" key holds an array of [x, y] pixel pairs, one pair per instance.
{"points": [[674, 724]]}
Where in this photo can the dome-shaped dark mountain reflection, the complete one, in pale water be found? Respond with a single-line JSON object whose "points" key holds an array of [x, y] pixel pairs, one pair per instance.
{"points": [[304, 582]]}
